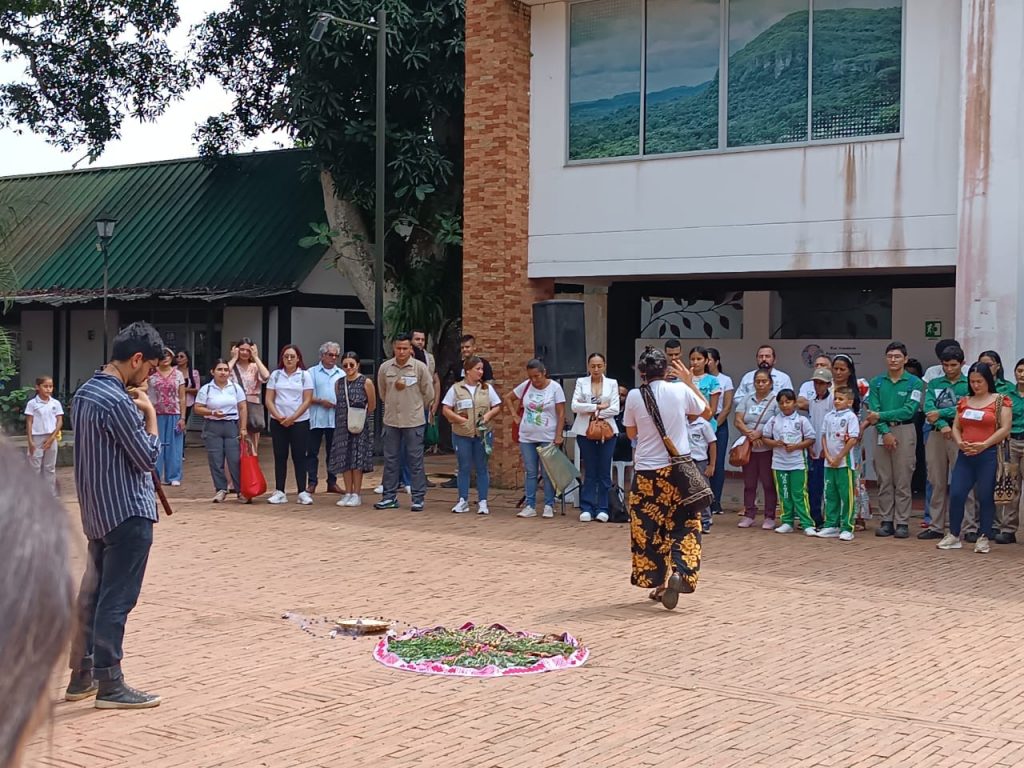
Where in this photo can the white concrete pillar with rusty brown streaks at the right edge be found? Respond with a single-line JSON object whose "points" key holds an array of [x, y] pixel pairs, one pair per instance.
{"points": [[991, 260]]}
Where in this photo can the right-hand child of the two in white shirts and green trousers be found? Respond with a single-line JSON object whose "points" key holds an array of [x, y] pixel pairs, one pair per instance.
{"points": [[839, 437]]}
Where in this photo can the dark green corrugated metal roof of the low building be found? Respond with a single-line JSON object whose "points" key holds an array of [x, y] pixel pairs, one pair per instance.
{"points": [[186, 228]]}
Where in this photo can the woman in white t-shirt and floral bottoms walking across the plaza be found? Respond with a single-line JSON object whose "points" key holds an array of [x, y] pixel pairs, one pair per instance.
{"points": [[668, 491]]}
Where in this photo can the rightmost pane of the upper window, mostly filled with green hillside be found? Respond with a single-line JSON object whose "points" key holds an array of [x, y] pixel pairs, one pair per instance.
{"points": [[858, 68]]}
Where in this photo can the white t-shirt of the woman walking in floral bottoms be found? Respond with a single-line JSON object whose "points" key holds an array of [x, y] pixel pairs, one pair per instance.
{"points": [[675, 403]]}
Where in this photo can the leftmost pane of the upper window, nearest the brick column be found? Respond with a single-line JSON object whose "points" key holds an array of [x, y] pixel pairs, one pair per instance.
{"points": [[606, 39]]}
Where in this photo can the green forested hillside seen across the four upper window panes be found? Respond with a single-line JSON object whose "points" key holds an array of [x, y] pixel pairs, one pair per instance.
{"points": [[857, 80]]}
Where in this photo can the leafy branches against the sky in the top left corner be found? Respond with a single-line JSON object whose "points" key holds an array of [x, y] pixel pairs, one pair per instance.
{"points": [[88, 66]]}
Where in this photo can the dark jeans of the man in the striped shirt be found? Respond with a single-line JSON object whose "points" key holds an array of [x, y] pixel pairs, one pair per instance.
{"points": [[109, 592]]}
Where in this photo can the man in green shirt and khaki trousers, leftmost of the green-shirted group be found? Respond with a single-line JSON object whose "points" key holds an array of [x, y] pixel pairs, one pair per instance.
{"points": [[892, 404]]}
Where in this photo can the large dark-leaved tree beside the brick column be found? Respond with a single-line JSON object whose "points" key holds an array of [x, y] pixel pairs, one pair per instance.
{"points": [[323, 95]]}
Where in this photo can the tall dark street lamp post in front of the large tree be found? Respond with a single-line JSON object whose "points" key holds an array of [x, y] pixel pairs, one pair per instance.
{"points": [[323, 20]]}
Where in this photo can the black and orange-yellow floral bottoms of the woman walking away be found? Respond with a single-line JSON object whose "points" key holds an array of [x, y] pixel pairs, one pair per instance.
{"points": [[665, 526]]}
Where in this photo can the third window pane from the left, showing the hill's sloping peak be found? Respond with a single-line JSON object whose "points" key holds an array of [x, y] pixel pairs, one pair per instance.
{"points": [[767, 72]]}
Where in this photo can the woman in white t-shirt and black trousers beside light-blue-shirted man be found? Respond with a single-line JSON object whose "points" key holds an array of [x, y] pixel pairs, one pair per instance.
{"points": [[289, 395]]}
